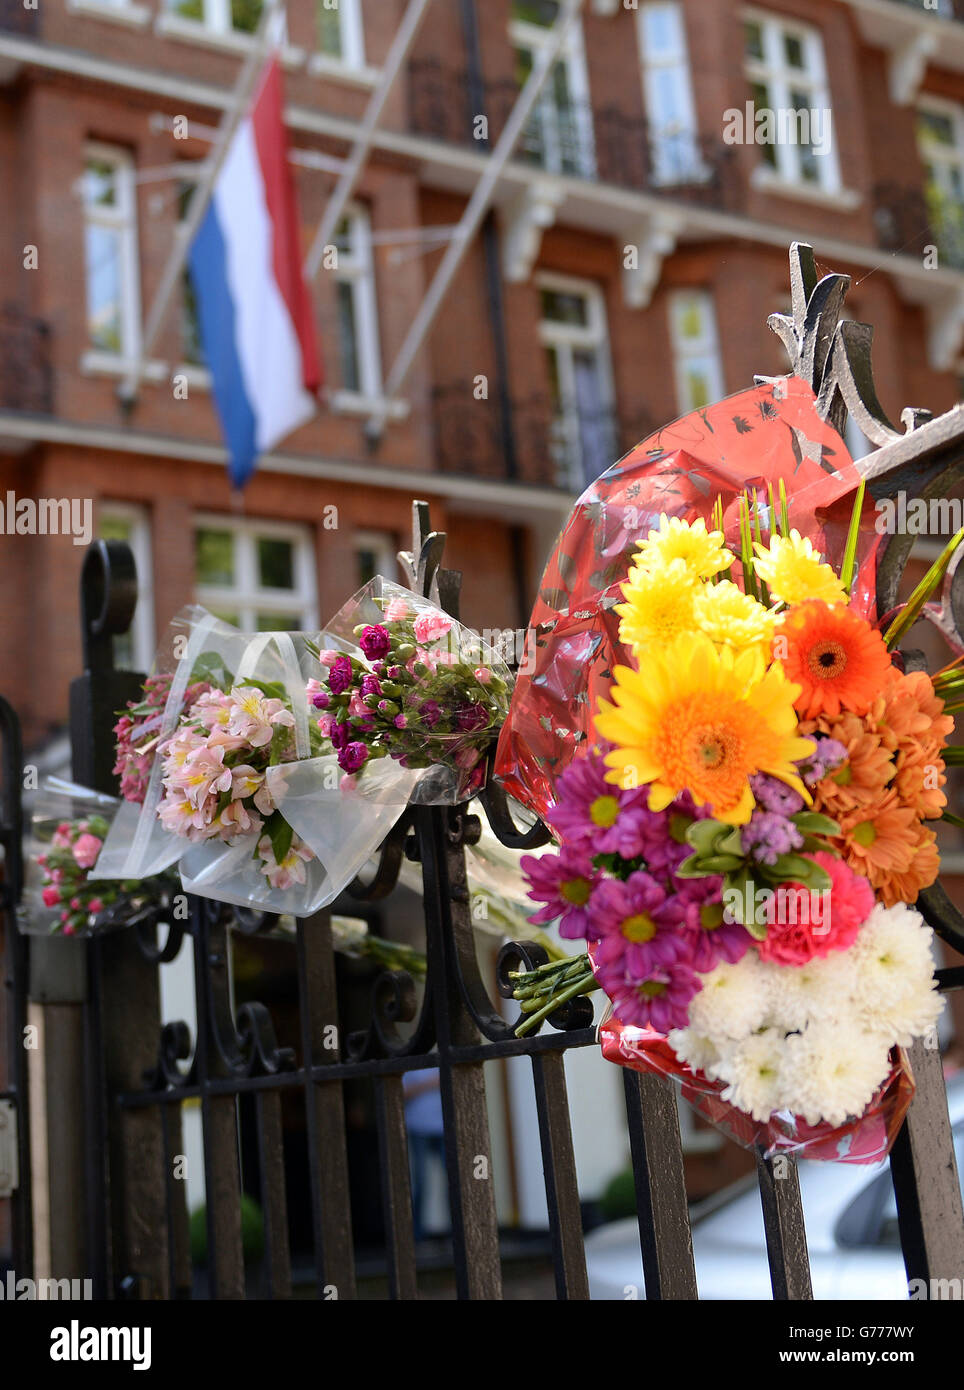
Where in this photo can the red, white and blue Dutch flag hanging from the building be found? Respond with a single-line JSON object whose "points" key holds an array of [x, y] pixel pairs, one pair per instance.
{"points": [[254, 305]]}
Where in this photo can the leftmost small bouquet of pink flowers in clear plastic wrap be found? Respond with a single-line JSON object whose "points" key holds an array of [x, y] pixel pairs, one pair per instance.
{"points": [[69, 828]]}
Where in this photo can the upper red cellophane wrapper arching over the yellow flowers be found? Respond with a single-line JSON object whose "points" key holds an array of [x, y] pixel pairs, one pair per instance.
{"points": [[749, 441]]}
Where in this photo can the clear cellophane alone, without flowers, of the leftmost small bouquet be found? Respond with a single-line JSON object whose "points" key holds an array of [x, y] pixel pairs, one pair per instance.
{"points": [[58, 803]]}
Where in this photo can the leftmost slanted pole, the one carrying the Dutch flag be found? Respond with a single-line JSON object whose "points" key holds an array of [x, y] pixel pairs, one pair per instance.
{"points": [[185, 233]]}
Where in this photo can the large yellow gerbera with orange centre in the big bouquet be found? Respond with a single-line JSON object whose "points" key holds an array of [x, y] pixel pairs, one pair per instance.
{"points": [[702, 719]]}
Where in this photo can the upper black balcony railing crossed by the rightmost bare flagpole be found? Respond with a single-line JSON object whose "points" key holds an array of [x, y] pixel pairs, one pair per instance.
{"points": [[599, 142]]}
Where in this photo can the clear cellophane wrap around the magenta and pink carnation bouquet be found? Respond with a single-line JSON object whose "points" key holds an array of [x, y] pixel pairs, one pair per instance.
{"points": [[447, 783]]}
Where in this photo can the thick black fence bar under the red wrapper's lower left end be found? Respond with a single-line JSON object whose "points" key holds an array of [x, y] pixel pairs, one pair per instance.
{"points": [[658, 1160]]}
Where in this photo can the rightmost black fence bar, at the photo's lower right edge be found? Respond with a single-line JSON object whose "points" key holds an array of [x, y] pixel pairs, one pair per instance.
{"points": [[926, 1179]]}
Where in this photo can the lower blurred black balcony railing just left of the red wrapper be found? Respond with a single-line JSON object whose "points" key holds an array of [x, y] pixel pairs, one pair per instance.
{"points": [[555, 448]]}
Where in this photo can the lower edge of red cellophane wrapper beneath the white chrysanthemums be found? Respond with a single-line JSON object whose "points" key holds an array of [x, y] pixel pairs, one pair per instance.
{"points": [[866, 1139]]}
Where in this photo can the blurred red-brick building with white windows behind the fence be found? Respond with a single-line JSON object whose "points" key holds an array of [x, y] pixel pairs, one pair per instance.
{"points": [[623, 279]]}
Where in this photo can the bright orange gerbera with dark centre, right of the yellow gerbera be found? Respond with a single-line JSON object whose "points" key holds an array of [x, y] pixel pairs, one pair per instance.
{"points": [[837, 658]]}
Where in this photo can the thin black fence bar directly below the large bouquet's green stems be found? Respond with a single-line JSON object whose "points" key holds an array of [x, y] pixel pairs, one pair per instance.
{"points": [[560, 1172]]}
